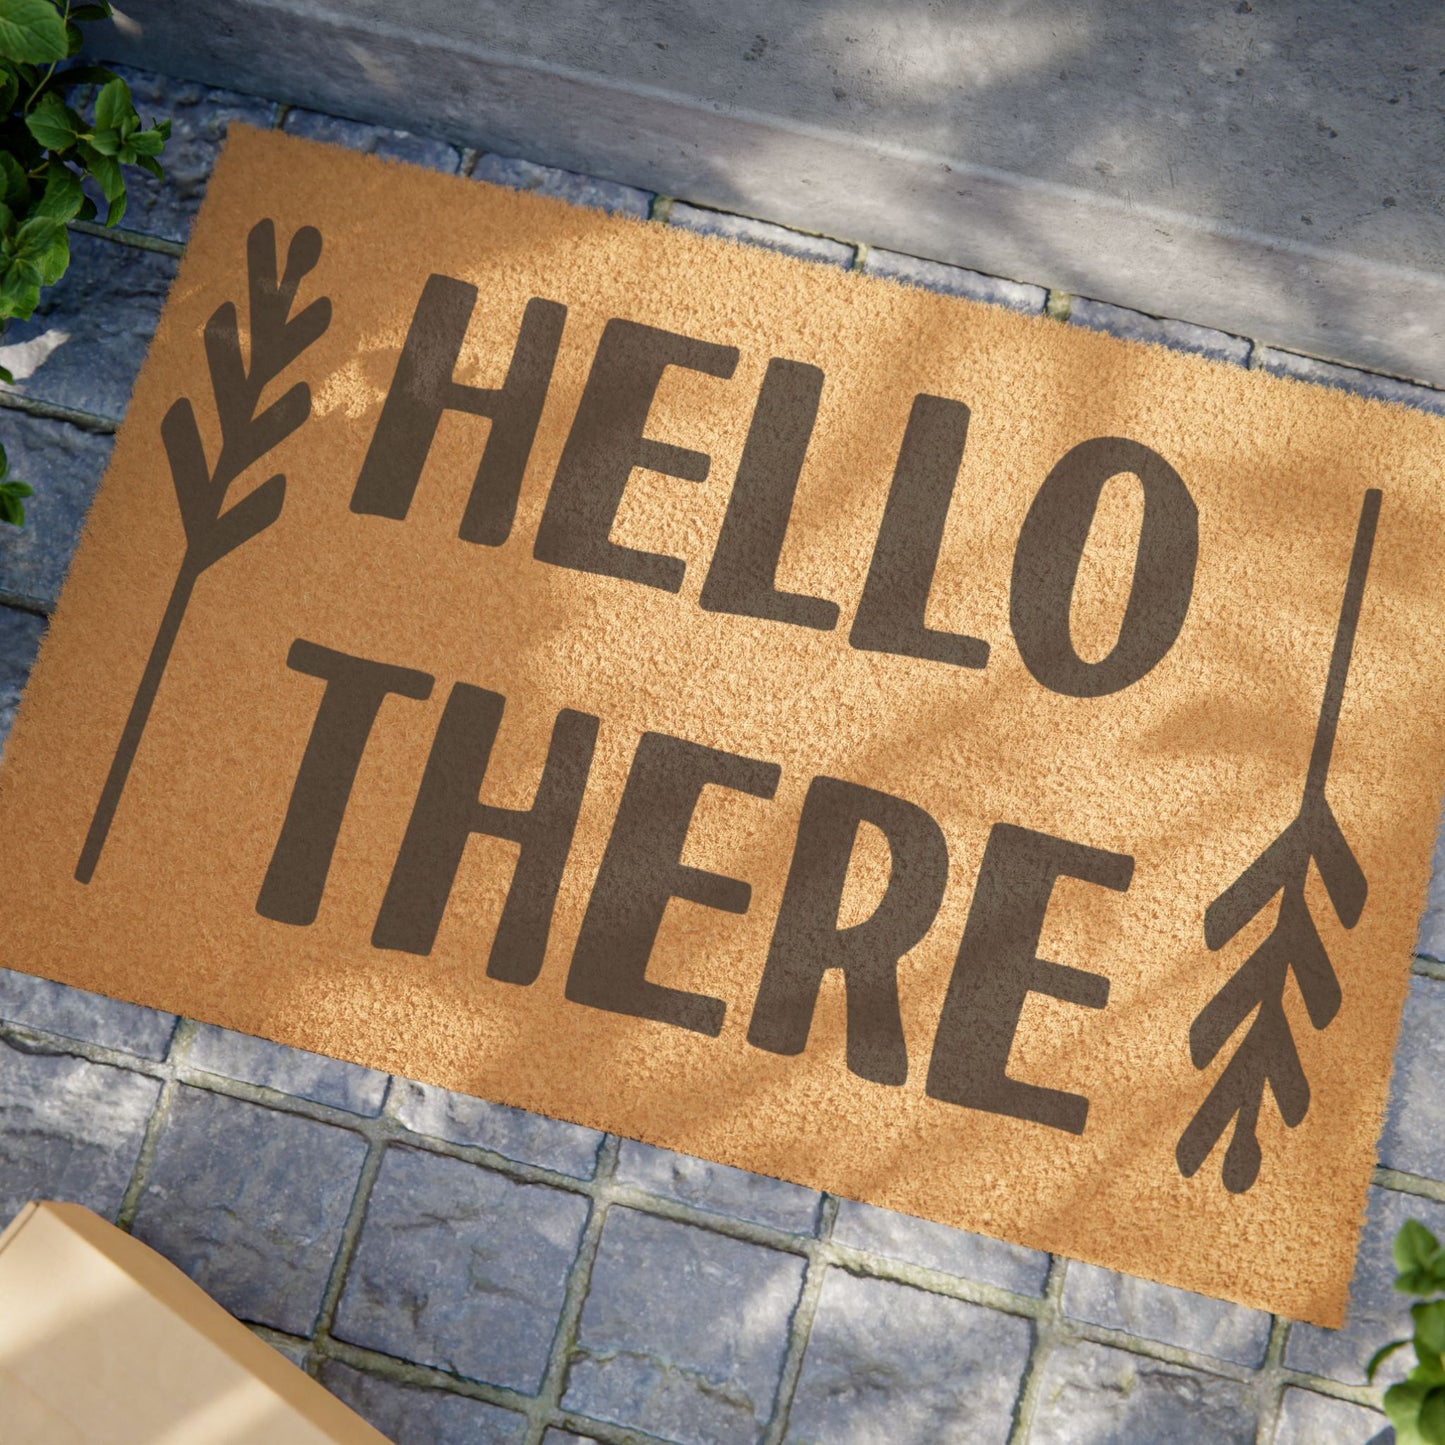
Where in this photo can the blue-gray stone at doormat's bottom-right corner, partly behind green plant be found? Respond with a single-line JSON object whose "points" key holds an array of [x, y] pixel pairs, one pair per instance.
{"points": [[1378, 1311]]}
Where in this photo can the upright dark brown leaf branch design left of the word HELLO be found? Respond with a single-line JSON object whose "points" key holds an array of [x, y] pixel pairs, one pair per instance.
{"points": [[213, 530]]}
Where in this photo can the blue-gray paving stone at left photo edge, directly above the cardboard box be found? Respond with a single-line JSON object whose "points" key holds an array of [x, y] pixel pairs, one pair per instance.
{"points": [[69, 1131]]}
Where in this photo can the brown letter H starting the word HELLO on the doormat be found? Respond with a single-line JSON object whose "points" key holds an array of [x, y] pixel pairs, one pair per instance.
{"points": [[424, 388]]}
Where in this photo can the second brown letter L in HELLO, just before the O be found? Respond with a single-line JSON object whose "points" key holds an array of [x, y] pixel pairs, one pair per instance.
{"points": [[891, 613]]}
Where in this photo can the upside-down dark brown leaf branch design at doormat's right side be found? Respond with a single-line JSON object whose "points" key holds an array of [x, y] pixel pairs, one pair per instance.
{"points": [[1268, 1054]]}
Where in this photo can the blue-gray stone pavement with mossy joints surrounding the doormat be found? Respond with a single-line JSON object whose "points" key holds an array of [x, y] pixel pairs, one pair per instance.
{"points": [[462, 1272]]}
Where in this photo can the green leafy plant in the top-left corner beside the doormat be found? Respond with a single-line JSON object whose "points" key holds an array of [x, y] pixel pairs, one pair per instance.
{"points": [[48, 150]]}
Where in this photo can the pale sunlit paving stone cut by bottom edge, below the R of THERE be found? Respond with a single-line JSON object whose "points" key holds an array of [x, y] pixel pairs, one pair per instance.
{"points": [[892, 1363]]}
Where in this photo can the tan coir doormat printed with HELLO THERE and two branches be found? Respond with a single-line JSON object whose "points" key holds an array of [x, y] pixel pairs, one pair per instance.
{"points": [[927, 754]]}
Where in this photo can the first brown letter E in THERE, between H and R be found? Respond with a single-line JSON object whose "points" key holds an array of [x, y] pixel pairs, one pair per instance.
{"points": [[641, 872]]}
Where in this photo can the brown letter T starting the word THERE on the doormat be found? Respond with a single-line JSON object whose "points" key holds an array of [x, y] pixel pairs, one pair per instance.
{"points": [[356, 687]]}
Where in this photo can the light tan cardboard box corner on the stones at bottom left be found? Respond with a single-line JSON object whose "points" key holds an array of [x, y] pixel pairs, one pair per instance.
{"points": [[106, 1343]]}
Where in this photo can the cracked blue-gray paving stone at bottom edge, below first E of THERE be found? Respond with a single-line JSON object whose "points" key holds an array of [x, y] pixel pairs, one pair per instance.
{"points": [[684, 1332]]}
